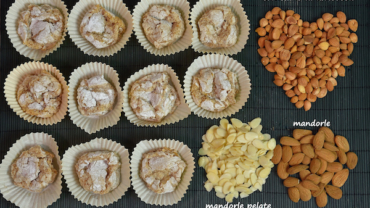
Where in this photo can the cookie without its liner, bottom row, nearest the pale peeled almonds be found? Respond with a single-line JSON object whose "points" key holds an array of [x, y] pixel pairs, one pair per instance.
{"points": [[161, 170]]}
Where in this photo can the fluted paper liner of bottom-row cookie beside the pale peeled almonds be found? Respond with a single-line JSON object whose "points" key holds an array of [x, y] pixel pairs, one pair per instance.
{"points": [[147, 195]]}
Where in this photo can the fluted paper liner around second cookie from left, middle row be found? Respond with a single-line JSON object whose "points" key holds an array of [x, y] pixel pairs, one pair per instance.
{"points": [[92, 125]]}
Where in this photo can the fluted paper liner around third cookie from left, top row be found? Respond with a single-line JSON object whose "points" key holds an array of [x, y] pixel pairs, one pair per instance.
{"points": [[180, 45]]}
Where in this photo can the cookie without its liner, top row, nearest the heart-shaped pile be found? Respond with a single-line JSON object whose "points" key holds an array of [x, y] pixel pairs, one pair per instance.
{"points": [[218, 27]]}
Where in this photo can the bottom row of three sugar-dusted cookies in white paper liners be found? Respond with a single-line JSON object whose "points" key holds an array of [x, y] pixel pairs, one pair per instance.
{"points": [[97, 172]]}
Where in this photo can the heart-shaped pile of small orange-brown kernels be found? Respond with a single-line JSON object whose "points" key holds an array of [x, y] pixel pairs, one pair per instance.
{"points": [[307, 57]]}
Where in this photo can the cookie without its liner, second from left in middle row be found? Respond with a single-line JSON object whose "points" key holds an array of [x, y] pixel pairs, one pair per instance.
{"points": [[95, 96]]}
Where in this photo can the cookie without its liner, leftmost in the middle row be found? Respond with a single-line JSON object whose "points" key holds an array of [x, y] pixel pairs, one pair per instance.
{"points": [[40, 94]]}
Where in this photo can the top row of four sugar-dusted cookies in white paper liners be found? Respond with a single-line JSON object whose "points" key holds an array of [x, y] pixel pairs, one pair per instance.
{"points": [[102, 28]]}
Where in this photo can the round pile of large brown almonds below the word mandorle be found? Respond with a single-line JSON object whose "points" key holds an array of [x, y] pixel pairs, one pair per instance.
{"points": [[314, 158]]}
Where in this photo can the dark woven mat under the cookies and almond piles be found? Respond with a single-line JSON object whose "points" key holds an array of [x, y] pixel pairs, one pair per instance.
{"points": [[347, 107]]}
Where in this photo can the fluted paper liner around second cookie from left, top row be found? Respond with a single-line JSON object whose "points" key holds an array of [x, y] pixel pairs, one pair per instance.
{"points": [[116, 7]]}
